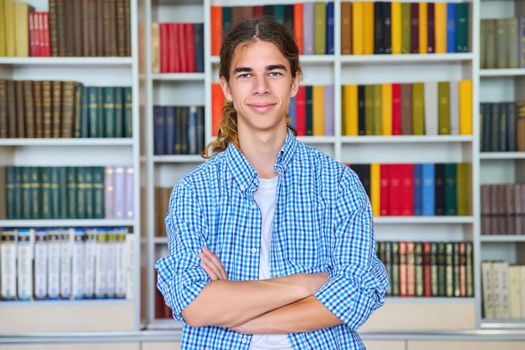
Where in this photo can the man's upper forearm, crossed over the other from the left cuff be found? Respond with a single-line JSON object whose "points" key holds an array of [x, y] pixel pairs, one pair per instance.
{"points": [[231, 303]]}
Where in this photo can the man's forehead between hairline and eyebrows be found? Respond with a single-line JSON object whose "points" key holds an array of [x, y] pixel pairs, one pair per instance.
{"points": [[257, 54]]}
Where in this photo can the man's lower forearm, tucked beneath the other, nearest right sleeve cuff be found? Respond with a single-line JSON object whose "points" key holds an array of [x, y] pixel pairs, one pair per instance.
{"points": [[305, 315]]}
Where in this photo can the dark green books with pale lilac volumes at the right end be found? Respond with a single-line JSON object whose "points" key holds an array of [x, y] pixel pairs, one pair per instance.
{"points": [[69, 192]]}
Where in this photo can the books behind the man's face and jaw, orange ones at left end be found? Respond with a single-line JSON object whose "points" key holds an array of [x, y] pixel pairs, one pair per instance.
{"points": [[311, 110]]}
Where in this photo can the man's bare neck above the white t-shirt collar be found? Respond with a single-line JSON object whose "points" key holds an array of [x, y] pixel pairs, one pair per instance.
{"points": [[262, 148]]}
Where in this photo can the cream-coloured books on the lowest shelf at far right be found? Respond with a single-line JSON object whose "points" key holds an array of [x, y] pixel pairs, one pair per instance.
{"points": [[503, 288]]}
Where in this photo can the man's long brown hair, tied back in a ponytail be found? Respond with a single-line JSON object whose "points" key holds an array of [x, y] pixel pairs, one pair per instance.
{"points": [[264, 29]]}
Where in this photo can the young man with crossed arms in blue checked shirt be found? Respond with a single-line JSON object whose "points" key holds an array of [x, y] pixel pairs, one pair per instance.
{"points": [[271, 241]]}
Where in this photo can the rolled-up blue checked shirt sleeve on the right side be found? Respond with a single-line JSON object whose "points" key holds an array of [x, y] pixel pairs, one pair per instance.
{"points": [[358, 280]]}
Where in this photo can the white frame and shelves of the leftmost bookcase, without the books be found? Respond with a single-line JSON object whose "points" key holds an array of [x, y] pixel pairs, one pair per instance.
{"points": [[61, 316]]}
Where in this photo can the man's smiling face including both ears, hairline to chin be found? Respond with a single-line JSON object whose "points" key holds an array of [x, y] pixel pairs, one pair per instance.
{"points": [[260, 86]]}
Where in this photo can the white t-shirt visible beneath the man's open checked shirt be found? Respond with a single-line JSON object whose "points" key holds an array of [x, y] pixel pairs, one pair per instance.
{"points": [[265, 197]]}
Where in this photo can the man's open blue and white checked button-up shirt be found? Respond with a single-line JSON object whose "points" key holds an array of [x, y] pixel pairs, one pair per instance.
{"points": [[322, 223]]}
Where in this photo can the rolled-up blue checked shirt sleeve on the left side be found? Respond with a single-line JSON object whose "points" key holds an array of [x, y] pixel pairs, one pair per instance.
{"points": [[180, 278]]}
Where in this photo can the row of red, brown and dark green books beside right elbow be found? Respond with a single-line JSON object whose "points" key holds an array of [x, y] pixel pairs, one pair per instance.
{"points": [[428, 269]]}
